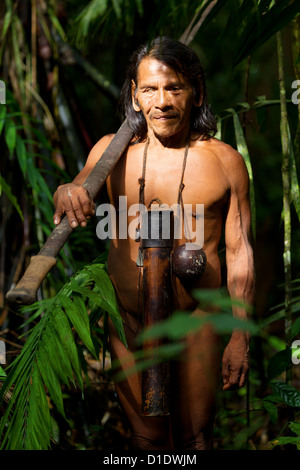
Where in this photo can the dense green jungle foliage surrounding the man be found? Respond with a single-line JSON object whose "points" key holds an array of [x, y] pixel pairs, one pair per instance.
{"points": [[63, 64]]}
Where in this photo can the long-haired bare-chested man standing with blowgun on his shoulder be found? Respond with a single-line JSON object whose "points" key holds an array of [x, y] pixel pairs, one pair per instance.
{"points": [[165, 102]]}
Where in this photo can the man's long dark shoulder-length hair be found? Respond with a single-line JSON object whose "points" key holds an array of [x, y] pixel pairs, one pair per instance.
{"points": [[183, 60]]}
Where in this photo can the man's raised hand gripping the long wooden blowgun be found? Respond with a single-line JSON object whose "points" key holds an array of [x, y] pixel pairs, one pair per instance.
{"points": [[73, 200]]}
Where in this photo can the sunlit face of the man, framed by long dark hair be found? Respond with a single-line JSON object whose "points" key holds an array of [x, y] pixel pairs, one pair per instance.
{"points": [[165, 98]]}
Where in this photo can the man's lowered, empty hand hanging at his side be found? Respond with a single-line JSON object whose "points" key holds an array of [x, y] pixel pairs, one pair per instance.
{"points": [[235, 362]]}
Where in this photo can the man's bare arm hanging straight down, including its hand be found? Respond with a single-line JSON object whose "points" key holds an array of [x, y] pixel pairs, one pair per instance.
{"points": [[240, 271]]}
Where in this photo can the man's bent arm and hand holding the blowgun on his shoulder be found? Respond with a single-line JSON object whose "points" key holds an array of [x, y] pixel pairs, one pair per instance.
{"points": [[74, 200]]}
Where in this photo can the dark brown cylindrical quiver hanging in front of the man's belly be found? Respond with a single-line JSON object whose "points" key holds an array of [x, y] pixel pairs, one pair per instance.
{"points": [[156, 245]]}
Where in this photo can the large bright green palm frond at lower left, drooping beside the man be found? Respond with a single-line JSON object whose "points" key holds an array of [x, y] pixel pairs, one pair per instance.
{"points": [[49, 358]]}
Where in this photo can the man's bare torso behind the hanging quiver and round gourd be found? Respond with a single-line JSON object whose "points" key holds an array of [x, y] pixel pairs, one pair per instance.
{"points": [[205, 183]]}
